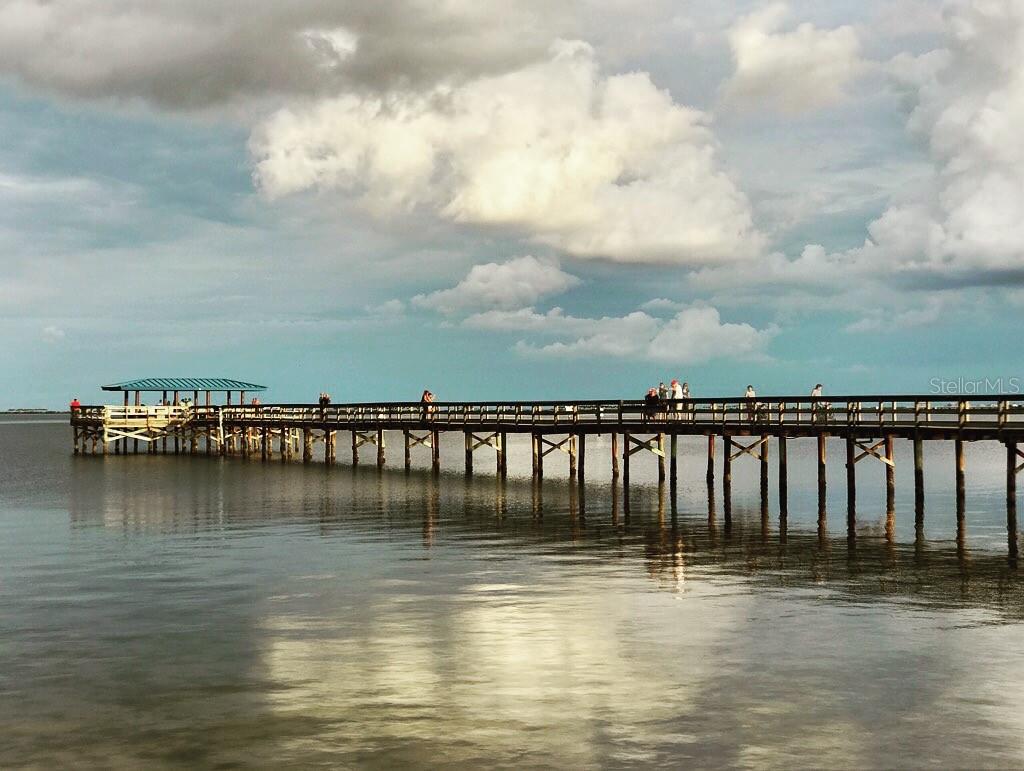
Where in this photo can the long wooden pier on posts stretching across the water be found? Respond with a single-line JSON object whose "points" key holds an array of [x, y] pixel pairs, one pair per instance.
{"points": [[758, 430]]}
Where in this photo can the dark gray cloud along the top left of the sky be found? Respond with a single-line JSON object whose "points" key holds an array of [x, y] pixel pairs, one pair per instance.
{"points": [[185, 55]]}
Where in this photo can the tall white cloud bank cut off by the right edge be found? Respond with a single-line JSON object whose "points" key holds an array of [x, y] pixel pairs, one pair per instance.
{"points": [[962, 225]]}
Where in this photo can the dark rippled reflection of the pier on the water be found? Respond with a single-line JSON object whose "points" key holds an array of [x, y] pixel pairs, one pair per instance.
{"points": [[672, 547]]}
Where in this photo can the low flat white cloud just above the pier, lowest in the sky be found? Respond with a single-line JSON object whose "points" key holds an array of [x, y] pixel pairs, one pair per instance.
{"points": [[692, 336]]}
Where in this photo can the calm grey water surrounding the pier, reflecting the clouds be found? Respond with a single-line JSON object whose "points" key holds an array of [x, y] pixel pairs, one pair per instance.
{"points": [[193, 612]]}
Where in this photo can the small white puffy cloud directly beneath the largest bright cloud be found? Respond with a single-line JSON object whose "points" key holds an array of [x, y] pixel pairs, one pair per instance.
{"points": [[521, 282]]}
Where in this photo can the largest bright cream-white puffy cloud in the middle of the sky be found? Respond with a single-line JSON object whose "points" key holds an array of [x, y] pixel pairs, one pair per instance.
{"points": [[557, 152]]}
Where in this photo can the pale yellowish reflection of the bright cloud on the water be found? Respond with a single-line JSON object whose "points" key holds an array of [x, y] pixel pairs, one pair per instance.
{"points": [[495, 660]]}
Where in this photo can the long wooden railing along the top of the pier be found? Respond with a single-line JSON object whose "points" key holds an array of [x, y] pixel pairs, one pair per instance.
{"points": [[884, 413]]}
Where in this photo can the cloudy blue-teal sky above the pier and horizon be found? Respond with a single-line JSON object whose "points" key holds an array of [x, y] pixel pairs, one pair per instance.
{"points": [[510, 200]]}
